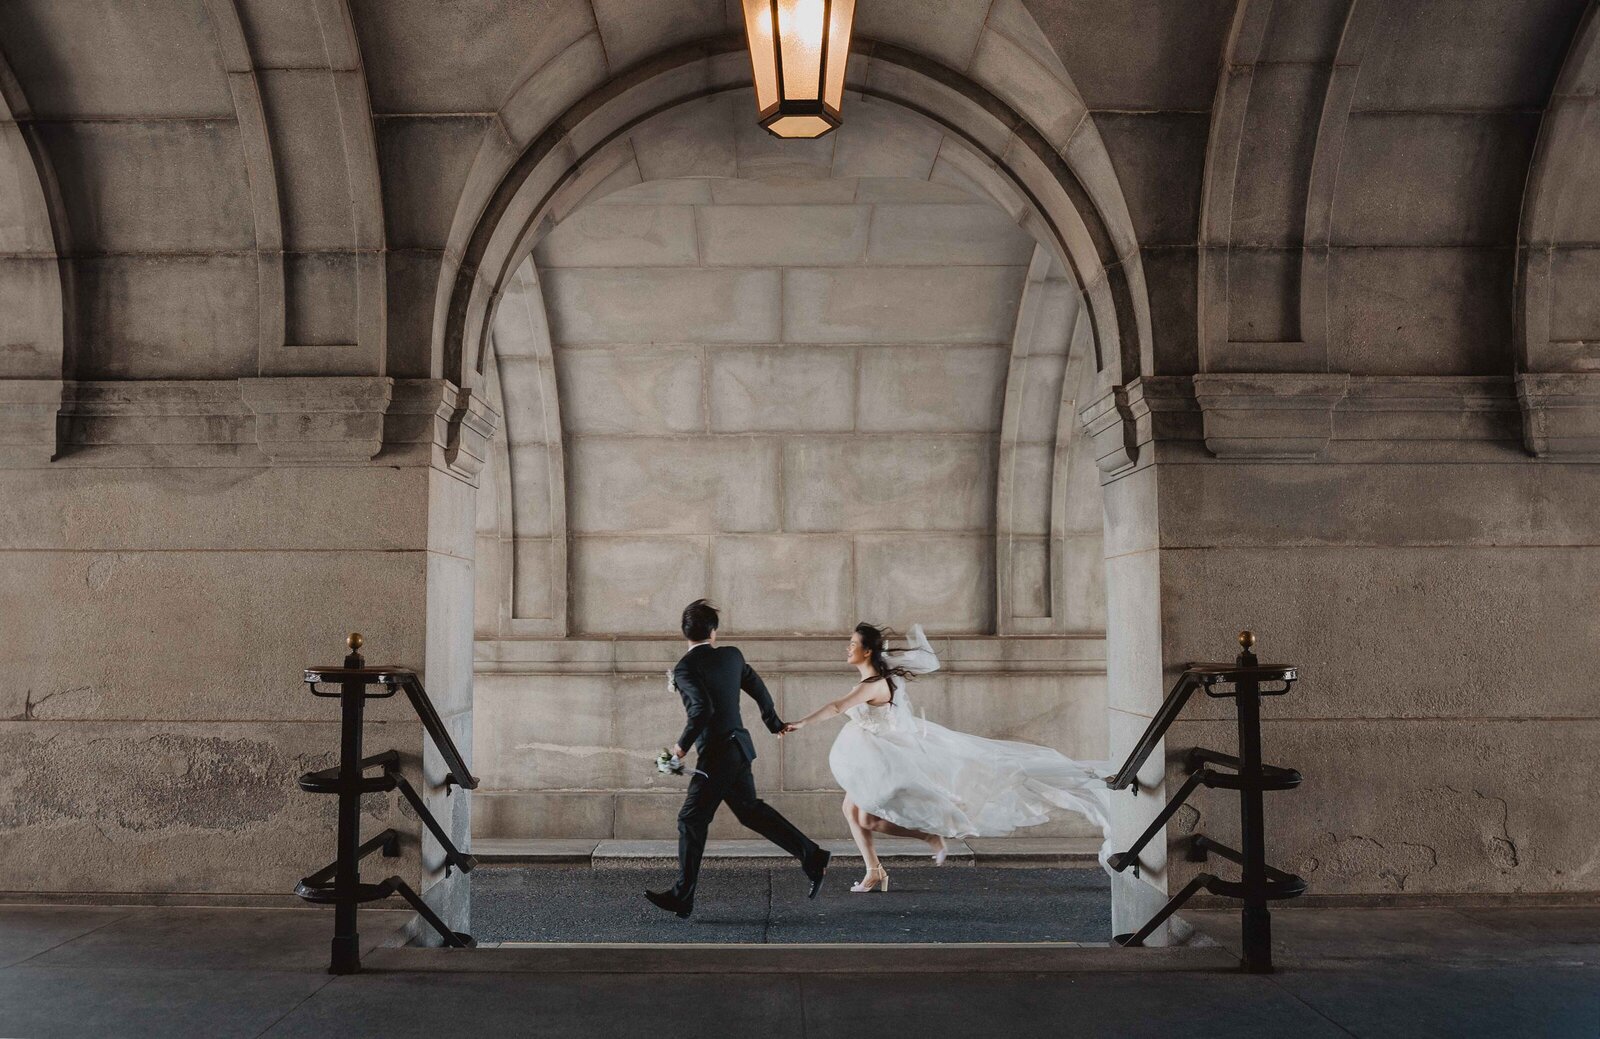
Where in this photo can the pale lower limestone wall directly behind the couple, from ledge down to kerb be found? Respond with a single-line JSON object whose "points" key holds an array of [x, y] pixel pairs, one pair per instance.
{"points": [[569, 731]]}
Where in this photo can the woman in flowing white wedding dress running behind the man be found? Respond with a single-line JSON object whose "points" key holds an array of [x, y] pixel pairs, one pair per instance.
{"points": [[910, 777]]}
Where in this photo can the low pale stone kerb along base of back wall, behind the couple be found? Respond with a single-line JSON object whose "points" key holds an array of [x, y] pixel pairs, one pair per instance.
{"points": [[902, 852]]}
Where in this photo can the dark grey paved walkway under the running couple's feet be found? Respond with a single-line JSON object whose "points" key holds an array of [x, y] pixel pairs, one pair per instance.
{"points": [[769, 905]]}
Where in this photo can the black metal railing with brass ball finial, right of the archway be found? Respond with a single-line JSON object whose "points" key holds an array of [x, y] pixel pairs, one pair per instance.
{"points": [[1246, 681]]}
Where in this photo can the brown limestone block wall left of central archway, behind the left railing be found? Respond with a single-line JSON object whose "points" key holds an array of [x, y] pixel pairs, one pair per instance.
{"points": [[194, 398]]}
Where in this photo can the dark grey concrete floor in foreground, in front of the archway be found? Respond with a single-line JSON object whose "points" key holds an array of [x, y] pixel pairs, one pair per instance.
{"points": [[1526, 974]]}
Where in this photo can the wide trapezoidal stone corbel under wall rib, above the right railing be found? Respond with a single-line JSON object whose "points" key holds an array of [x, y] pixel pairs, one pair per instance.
{"points": [[1270, 417]]}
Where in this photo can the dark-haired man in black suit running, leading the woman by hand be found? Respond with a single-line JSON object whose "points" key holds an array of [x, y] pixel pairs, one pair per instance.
{"points": [[710, 680]]}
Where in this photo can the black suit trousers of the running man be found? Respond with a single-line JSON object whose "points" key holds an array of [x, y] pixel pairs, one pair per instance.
{"points": [[729, 782]]}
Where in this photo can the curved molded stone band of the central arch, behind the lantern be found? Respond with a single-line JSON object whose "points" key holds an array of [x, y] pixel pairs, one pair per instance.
{"points": [[522, 183]]}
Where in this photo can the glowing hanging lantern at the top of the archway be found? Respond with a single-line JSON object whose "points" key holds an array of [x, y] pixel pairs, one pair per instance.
{"points": [[799, 52]]}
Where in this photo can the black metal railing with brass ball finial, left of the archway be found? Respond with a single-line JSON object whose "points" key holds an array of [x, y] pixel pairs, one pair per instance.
{"points": [[340, 883]]}
